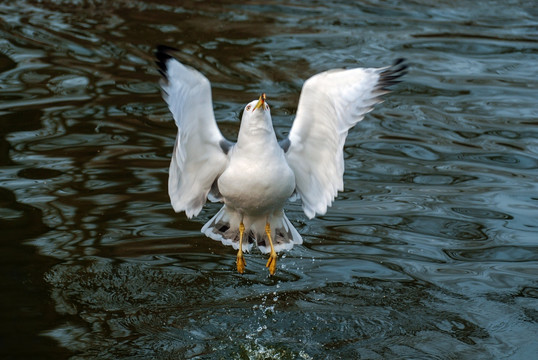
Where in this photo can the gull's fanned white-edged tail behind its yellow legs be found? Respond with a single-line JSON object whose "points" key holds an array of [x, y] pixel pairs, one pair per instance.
{"points": [[225, 228]]}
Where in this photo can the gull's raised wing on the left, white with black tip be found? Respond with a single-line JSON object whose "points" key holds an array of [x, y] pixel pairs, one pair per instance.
{"points": [[200, 151]]}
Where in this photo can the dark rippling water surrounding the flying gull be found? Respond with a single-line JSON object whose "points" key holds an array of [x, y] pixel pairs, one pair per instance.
{"points": [[431, 252]]}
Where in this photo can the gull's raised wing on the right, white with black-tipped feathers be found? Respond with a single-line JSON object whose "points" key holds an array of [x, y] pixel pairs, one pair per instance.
{"points": [[330, 104]]}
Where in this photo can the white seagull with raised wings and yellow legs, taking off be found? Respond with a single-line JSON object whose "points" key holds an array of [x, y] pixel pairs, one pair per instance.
{"points": [[255, 176]]}
